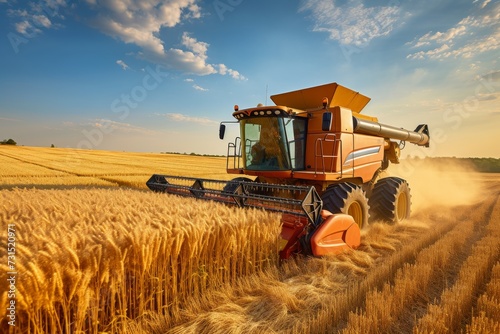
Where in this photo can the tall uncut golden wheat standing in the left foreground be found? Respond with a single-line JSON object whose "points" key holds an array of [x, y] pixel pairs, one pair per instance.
{"points": [[99, 257]]}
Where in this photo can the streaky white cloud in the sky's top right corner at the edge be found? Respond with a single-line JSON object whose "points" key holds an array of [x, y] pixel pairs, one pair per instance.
{"points": [[471, 36]]}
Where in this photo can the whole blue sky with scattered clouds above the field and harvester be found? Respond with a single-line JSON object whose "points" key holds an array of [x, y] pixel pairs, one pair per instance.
{"points": [[159, 76]]}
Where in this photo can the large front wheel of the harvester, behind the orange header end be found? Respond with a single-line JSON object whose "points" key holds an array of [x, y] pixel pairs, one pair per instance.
{"points": [[347, 198]]}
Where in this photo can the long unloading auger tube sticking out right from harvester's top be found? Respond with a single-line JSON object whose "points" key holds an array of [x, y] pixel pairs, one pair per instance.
{"points": [[419, 137]]}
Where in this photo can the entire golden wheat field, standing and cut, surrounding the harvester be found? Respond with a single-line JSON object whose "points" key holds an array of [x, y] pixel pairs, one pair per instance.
{"points": [[99, 254]]}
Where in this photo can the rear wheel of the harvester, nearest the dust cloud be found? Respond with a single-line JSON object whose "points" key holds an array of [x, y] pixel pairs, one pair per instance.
{"points": [[391, 200]]}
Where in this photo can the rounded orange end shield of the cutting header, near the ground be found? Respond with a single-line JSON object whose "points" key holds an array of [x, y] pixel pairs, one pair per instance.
{"points": [[338, 233]]}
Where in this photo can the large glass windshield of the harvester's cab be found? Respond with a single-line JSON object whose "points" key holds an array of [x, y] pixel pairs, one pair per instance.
{"points": [[273, 143]]}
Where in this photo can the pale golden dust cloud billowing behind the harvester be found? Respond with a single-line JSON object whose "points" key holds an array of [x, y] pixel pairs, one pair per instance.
{"points": [[439, 182]]}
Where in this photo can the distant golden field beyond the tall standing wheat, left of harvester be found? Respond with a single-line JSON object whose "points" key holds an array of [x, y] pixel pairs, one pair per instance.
{"points": [[33, 166]]}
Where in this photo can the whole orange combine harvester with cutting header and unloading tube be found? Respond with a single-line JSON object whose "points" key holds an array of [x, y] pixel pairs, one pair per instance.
{"points": [[317, 160]]}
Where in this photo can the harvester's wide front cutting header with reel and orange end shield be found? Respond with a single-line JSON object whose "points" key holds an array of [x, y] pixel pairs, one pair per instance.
{"points": [[306, 228]]}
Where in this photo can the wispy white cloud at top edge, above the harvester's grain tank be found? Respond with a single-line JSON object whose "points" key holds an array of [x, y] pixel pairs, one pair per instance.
{"points": [[351, 24]]}
